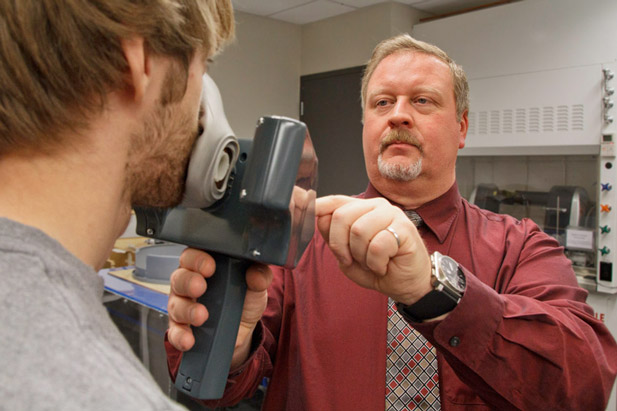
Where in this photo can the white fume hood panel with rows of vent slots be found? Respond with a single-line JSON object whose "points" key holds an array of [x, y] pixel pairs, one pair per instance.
{"points": [[551, 112]]}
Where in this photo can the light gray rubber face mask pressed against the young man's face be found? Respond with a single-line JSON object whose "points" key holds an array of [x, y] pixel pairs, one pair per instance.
{"points": [[214, 154]]}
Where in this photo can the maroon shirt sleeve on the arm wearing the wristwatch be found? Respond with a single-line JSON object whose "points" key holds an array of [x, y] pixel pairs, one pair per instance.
{"points": [[527, 339]]}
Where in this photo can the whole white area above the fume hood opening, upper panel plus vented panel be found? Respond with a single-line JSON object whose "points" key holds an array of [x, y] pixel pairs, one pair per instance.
{"points": [[532, 57]]}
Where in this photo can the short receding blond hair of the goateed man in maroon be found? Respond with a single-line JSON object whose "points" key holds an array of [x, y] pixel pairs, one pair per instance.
{"points": [[404, 42]]}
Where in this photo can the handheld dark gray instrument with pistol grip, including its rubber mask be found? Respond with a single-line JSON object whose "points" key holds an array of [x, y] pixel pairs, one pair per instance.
{"points": [[245, 201]]}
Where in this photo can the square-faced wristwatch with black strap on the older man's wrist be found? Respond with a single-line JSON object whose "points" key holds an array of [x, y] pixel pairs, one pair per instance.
{"points": [[448, 283]]}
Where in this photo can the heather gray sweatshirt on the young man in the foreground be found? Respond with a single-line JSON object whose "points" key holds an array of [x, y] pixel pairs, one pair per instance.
{"points": [[59, 350]]}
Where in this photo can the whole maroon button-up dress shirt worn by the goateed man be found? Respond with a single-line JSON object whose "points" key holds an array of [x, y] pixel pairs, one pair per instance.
{"points": [[522, 336]]}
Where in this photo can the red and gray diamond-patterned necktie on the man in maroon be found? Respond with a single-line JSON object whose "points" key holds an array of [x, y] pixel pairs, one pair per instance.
{"points": [[412, 381]]}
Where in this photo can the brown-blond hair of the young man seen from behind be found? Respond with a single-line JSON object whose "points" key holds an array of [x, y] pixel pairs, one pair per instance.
{"points": [[60, 58]]}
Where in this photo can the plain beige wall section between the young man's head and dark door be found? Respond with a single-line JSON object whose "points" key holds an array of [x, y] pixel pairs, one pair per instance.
{"points": [[259, 74]]}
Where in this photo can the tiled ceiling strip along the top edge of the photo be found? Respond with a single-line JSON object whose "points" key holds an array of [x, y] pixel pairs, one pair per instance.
{"points": [[308, 11]]}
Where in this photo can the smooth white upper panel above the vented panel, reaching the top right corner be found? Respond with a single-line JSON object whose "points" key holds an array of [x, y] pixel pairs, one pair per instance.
{"points": [[527, 36]]}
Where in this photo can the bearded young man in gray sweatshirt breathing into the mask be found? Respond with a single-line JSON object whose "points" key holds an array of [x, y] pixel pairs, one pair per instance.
{"points": [[99, 108]]}
